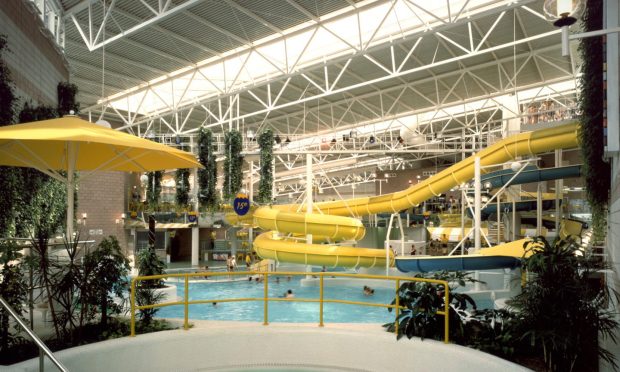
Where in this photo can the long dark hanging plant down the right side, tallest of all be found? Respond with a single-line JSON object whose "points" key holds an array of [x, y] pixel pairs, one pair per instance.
{"points": [[596, 171]]}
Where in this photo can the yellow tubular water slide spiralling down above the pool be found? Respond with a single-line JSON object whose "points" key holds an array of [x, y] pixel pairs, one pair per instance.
{"points": [[339, 220]]}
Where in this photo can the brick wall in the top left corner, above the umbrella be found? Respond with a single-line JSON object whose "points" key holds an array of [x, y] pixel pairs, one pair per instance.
{"points": [[36, 64]]}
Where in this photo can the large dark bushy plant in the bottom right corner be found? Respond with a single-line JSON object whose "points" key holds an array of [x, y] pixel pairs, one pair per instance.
{"points": [[562, 311]]}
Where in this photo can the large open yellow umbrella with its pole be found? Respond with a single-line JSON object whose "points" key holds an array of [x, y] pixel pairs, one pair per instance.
{"points": [[71, 144]]}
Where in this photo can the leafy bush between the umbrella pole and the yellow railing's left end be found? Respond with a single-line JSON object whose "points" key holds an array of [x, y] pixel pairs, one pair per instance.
{"points": [[106, 270]]}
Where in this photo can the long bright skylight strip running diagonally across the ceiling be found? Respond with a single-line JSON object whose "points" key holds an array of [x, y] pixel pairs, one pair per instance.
{"points": [[342, 33]]}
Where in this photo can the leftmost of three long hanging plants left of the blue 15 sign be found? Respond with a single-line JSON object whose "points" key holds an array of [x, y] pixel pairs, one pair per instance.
{"points": [[207, 177]]}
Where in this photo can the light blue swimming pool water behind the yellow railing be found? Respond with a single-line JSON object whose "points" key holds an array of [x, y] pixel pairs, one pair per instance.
{"points": [[289, 312]]}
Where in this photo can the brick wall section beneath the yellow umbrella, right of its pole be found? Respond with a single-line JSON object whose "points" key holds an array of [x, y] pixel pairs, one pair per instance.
{"points": [[103, 197]]}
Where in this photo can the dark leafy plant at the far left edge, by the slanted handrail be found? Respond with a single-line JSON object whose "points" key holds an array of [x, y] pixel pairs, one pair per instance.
{"points": [[13, 289]]}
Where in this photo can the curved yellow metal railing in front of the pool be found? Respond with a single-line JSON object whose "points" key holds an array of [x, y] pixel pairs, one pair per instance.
{"points": [[266, 299]]}
